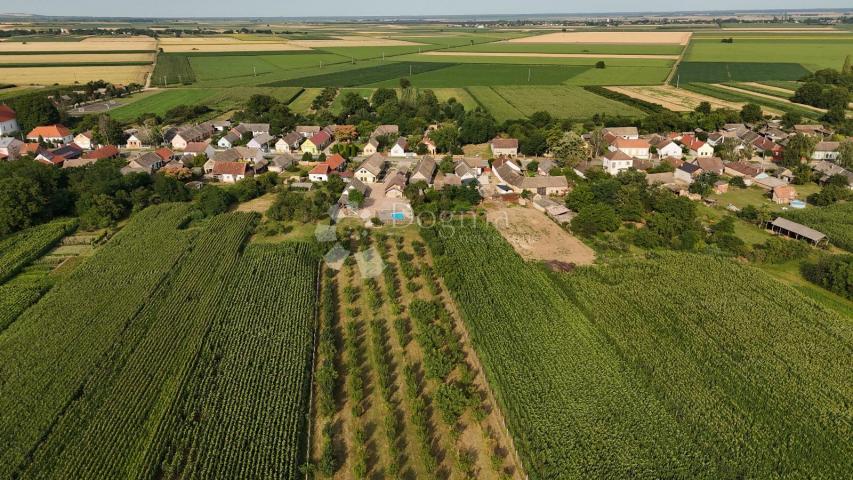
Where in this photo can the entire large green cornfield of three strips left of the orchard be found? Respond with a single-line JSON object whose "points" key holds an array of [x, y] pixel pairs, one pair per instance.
{"points": [[102, 349]]}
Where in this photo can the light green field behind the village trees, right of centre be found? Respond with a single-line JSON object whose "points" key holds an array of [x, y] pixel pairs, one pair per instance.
{"points": [[563, 102]]}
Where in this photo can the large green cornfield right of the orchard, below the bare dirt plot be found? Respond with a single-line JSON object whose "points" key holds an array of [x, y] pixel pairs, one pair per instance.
{"points": [[690, 379]]}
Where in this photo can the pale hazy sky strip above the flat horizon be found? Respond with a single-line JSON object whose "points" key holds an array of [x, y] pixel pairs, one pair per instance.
{"points": [[292, 8]]}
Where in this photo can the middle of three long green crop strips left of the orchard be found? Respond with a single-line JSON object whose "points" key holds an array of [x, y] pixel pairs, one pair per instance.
{"points": [[106, 432]]}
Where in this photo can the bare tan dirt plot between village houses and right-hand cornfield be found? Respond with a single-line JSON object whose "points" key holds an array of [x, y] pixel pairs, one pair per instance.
{"points": [[536, 237]]}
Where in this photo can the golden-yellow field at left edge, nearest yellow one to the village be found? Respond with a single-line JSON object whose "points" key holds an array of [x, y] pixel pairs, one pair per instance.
{"points": [[70, 75]]}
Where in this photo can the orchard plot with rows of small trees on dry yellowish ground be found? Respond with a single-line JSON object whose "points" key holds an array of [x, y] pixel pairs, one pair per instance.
{"points": [[400, 393]]}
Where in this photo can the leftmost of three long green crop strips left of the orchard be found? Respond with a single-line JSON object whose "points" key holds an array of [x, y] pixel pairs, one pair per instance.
{"points": [[47, 354]]}
